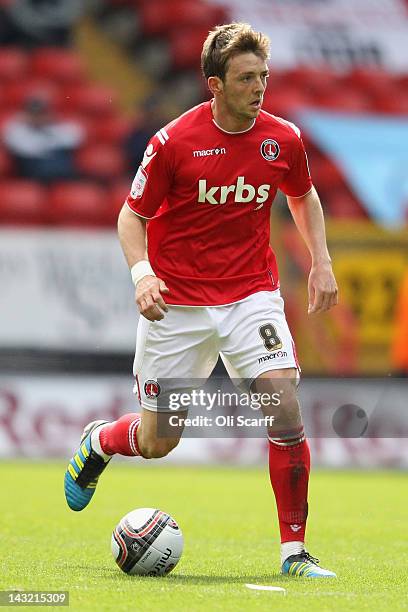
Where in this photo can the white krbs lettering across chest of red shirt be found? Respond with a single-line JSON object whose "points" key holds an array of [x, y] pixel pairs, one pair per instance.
{"points": [[243, 193]]}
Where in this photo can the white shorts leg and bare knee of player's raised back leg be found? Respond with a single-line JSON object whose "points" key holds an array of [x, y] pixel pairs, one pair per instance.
{"points": [[179, 351]]}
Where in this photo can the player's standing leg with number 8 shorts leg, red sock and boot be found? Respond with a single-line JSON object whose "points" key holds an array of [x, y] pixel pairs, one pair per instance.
{"points": [[264, 355]]}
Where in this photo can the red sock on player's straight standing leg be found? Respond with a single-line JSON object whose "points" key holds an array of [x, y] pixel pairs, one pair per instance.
{"points": [[289, 468]]}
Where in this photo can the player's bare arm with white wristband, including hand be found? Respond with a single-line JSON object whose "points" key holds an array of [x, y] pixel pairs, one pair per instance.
{"points": [[148, 287]]}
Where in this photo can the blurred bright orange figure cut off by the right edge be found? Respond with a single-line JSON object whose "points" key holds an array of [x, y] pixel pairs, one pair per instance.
{"points": [[400, 341]]}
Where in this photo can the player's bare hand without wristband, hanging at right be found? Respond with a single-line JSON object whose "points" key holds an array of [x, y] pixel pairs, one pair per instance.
{"points": [[322, 288]]}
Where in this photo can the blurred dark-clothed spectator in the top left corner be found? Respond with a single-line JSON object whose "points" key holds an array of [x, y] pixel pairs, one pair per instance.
{"points": [[32, 23]]}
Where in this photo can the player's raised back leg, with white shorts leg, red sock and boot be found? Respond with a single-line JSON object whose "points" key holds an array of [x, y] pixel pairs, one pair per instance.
{"points": [[181, 345]]}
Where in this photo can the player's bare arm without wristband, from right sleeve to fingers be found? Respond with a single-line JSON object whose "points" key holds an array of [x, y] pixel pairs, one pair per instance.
{"points": [[308, 216]]}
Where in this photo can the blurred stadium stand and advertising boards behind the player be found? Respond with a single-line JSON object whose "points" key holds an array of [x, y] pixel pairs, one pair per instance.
{"points": [[123, 68]]}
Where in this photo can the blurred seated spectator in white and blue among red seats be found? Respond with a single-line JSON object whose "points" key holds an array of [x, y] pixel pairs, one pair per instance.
{"points": [[42, 147]]}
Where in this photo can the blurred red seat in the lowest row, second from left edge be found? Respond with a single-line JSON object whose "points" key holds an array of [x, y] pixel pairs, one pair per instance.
{"points": [[79, 204]]}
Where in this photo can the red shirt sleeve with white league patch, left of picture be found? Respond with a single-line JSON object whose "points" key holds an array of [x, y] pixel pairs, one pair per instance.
{"points": [[153, 178]]}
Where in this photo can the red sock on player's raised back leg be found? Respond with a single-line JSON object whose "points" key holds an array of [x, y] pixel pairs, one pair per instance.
{"points": [[120, 436]]}
